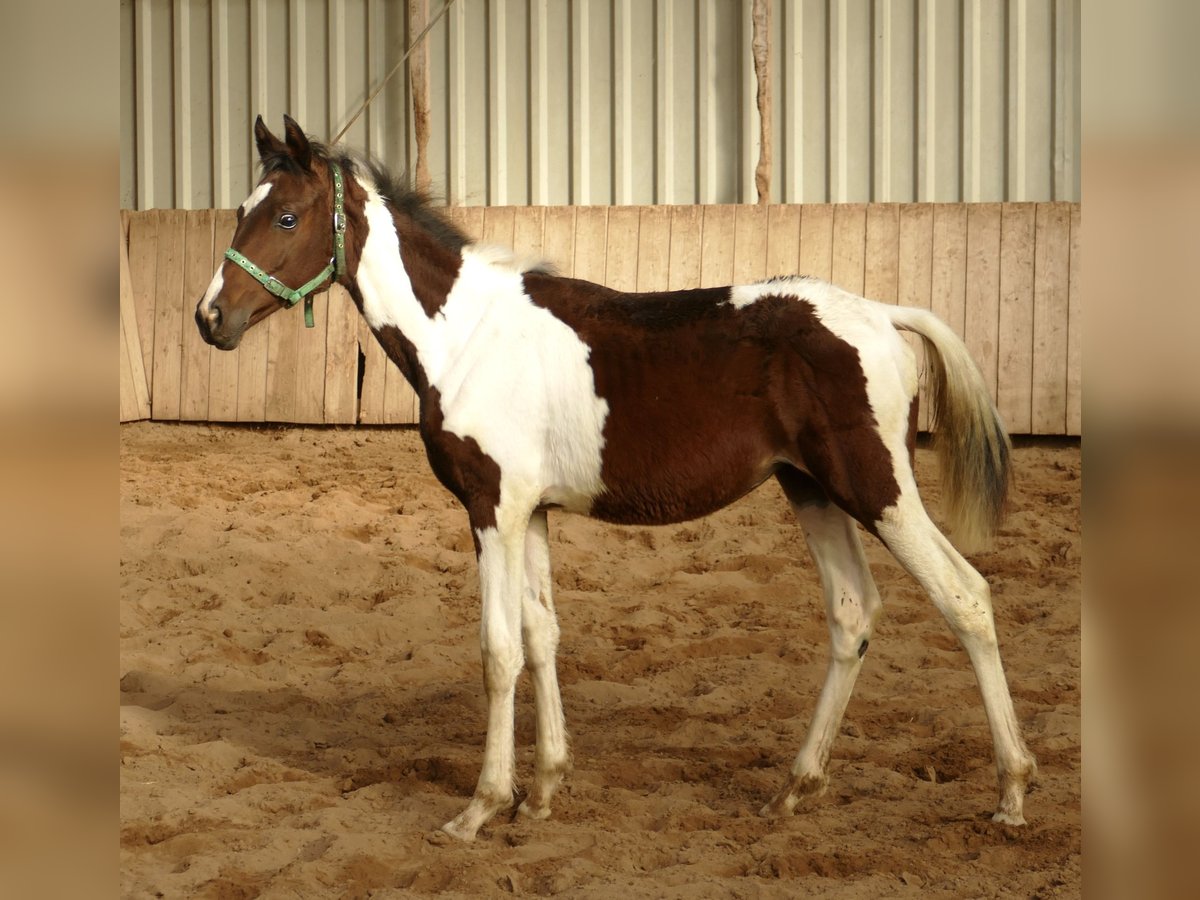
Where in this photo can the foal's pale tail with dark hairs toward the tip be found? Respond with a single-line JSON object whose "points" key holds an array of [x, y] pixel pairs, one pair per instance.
{"points": [[973, 445]]}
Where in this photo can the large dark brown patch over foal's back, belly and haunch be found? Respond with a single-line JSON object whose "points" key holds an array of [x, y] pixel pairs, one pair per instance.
{"points": [[706, 401]]}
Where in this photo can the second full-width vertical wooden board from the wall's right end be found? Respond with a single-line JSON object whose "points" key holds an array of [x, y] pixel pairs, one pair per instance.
{"points": [[1016, 376]]}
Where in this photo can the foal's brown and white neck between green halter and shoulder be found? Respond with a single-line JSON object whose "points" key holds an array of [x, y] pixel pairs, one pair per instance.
{"points": [[401, 284]]}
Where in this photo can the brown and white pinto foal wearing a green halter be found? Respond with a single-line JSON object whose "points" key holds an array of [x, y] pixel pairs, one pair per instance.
{"points": [[543, 393]]}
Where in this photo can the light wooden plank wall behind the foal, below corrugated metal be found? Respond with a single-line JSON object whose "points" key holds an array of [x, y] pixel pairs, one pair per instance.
{"points": [[1004, 275]]}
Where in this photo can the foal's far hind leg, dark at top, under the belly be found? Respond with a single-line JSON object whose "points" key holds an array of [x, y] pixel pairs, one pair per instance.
{"points": [[853, 607]]}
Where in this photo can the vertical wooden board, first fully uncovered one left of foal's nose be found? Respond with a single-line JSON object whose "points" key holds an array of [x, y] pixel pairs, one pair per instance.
{"points": [[169, 321]]}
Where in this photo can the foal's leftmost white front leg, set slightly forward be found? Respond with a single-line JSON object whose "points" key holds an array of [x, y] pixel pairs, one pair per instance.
{"points": [[502, 583]]}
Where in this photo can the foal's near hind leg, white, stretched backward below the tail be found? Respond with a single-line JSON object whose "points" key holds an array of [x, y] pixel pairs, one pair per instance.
{"points": [[963, 597]]}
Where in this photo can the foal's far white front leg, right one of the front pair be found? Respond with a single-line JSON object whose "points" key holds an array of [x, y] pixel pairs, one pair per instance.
{"points": [[539, 628]]}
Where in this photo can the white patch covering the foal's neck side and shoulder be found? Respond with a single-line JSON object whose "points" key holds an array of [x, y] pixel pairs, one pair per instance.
{"points": [[509, 374]]}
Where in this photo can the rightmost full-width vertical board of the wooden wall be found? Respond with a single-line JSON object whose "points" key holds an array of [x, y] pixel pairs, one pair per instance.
{"points": [[1052, 303]]}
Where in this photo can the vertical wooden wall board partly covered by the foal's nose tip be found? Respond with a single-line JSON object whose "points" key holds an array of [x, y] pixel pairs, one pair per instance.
{"points": [[194, 401]]}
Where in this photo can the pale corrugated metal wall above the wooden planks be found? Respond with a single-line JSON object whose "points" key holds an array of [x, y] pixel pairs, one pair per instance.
{"points": [[617, 101]]}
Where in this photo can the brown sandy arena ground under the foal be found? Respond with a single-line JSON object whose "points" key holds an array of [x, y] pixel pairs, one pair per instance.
{"points": [[302, 701]]}
